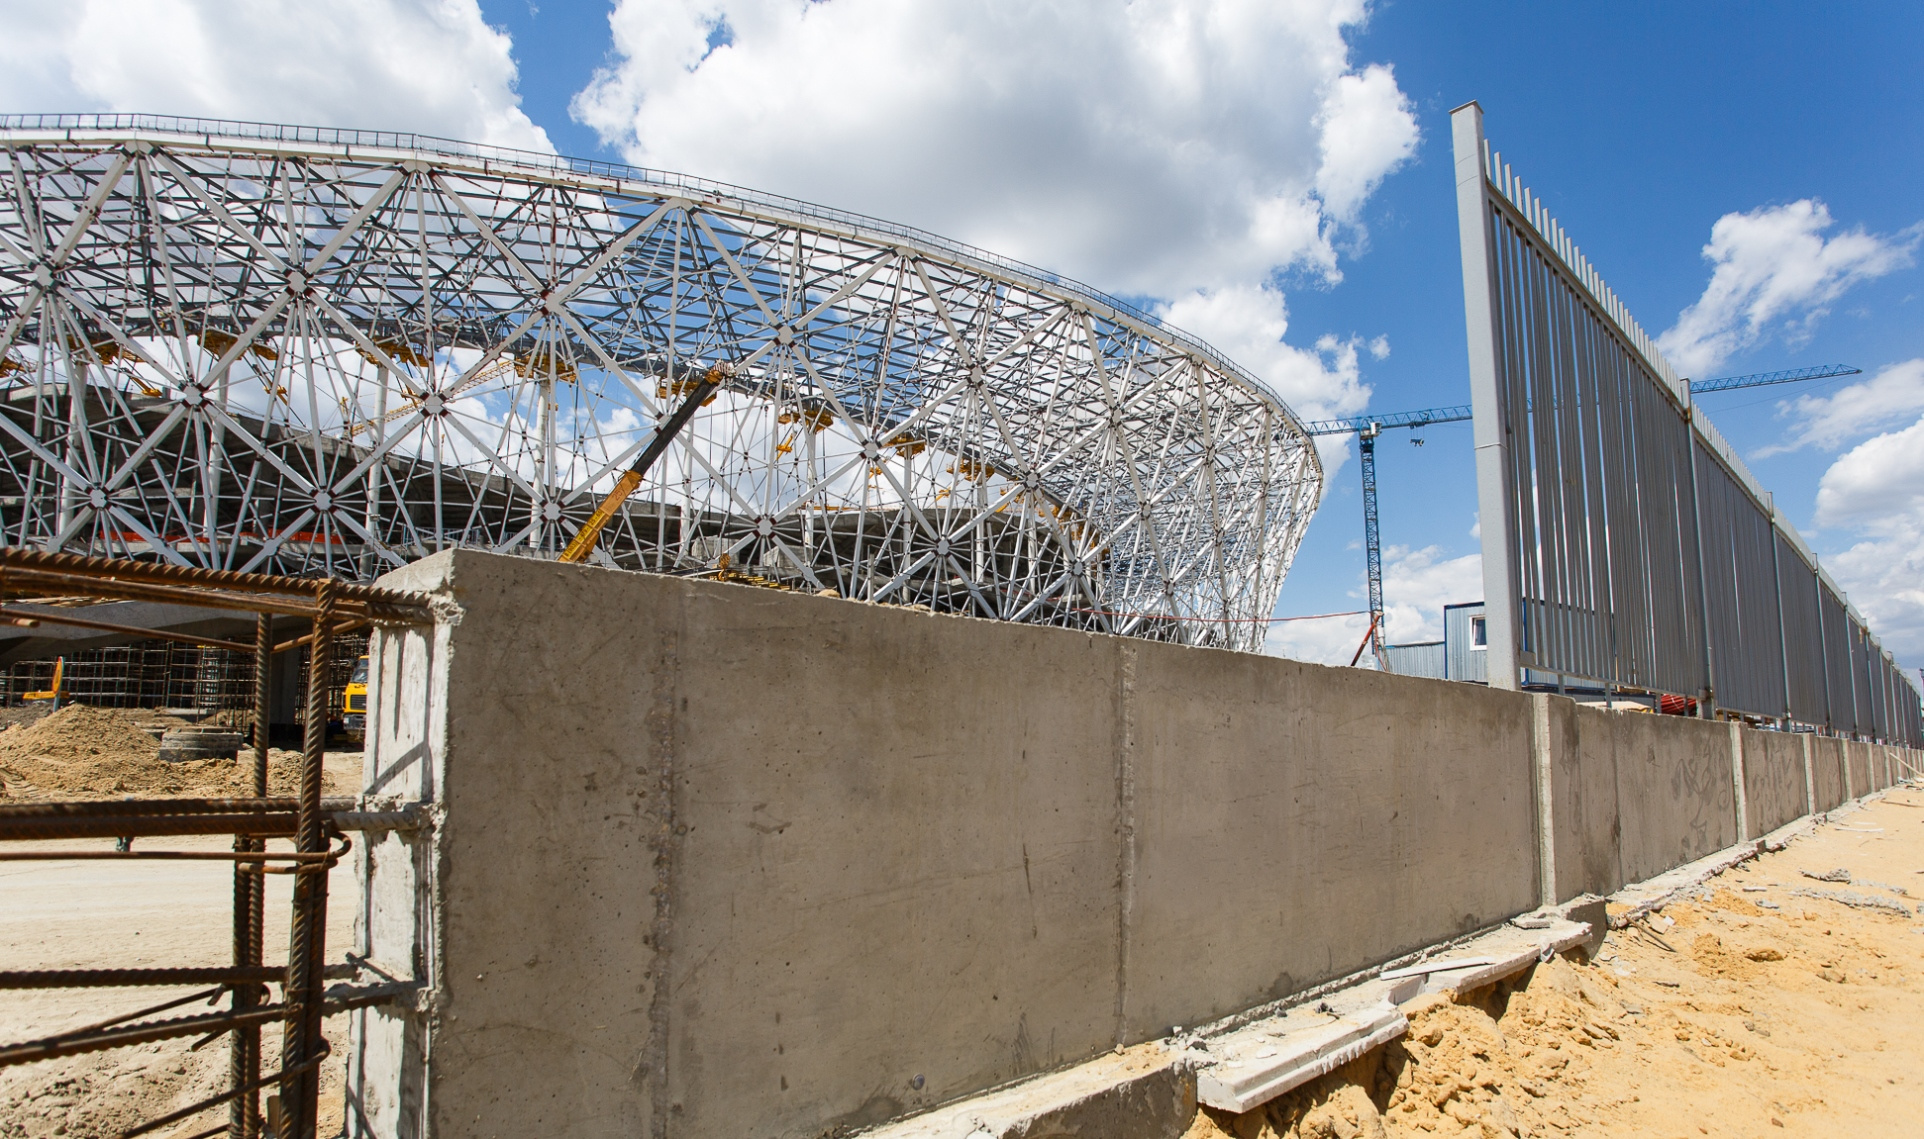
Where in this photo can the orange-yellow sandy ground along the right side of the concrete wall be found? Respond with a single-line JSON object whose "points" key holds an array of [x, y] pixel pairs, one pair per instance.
{"points": [[1769, 1003]]}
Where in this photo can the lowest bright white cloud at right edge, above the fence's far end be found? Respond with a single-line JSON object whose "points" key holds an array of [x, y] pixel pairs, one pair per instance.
{"points": [[1877, 492]]}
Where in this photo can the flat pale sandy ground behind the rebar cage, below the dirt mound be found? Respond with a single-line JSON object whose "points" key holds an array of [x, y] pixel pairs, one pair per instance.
{"points": [[99, 915]]}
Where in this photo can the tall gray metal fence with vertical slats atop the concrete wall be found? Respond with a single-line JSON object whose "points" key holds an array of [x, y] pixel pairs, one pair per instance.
{"points": [[1631, 540]]}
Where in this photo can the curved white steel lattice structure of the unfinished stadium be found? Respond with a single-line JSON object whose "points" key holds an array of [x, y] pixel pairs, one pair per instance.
{"points": [[328, 353]]}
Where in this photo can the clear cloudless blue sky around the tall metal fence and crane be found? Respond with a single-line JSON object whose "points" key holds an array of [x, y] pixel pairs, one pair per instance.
{"points": [[1640, 124]]}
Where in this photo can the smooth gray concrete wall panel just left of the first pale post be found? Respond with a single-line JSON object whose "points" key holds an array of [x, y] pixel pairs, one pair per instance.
{"points": [[1265, 790]]}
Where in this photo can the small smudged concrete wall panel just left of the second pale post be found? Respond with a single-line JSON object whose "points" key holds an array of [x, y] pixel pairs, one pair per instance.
{"points": [[1675, 792]]}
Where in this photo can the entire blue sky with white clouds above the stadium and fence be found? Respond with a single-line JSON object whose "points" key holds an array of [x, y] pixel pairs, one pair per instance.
{"points": [[1273, 176]]}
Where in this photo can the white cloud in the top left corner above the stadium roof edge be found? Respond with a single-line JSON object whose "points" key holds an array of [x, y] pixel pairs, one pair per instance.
{"points": [[430, 66]]}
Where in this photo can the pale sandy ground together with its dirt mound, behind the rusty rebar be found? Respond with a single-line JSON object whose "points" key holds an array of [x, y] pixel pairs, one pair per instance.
{"points": [[134, 915]]}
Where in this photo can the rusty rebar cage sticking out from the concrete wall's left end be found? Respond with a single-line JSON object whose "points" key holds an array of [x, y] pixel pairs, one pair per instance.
{"points": [[318, 832]]}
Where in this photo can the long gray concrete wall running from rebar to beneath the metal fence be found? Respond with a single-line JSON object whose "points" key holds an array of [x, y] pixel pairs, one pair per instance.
{"points": [[721, 861]]}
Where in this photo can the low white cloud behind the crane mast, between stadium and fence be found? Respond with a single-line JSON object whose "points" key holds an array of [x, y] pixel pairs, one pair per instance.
{"points": [[1417, 586]]}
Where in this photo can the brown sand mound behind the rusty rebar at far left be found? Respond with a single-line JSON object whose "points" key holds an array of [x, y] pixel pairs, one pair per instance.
{"points": [[99, 753]]}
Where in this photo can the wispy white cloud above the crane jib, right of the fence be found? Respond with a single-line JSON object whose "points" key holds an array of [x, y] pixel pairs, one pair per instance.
{"points": [[1775, 272]]}
